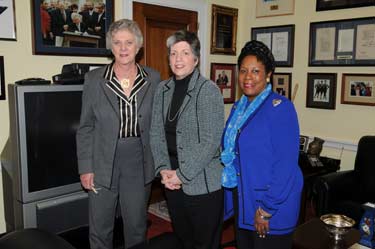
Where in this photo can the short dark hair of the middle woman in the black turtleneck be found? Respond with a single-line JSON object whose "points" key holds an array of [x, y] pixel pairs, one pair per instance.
{"points": [[189, 37]]}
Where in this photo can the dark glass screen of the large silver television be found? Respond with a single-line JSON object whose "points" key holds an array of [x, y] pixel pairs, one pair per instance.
{"points": [[51, 120]]}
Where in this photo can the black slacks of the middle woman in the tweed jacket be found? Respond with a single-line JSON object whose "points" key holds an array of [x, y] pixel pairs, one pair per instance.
{"points": [[196, 220]]}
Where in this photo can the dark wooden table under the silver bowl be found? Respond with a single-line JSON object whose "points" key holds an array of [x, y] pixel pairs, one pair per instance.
{"points": [[313, 235]]}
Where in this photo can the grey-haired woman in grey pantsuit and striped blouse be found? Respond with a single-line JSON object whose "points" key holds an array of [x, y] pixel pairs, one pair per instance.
{"points": [[114, 156]]}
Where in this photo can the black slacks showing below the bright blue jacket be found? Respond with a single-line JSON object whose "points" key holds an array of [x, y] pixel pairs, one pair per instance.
{"points": [[247, 239]]}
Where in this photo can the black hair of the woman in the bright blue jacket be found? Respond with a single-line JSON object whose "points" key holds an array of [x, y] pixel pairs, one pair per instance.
{"points": [[261, 52]]}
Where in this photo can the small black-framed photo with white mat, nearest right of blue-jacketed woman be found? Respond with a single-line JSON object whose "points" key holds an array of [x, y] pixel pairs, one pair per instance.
{"points": [[321, 90]]}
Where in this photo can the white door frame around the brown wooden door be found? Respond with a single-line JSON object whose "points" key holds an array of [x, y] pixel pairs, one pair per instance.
{"points": [[193, 5]]}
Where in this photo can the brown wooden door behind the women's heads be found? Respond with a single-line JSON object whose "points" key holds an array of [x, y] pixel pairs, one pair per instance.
{"points": [[157, 24]]}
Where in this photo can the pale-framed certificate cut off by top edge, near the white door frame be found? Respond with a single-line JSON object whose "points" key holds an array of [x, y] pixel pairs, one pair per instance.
{"points": [[265, 8]]}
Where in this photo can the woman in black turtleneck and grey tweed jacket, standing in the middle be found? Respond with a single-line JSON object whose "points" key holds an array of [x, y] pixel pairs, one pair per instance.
{"points": [[186, 127]]}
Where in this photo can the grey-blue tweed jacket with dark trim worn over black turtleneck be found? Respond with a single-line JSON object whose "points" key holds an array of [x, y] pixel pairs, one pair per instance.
{"points": [[198, 134]]}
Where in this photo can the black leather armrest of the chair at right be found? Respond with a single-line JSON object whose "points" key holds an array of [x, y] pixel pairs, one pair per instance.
{"points": [[334, 186]]}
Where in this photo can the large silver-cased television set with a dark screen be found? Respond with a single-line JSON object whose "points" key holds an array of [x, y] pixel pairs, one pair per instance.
{"points": [[43, 123]]}
